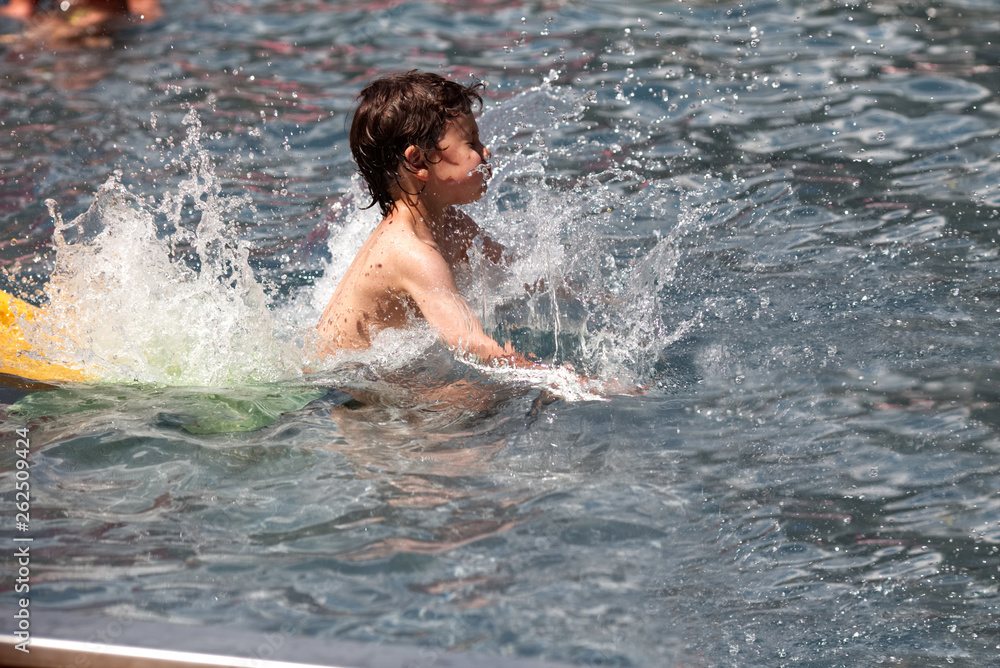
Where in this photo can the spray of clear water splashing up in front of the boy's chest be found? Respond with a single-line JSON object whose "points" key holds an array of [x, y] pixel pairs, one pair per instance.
{"points": [[603, 301]]}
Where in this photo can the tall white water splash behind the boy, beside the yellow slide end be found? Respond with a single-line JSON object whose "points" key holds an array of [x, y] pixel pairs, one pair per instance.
{"points": [[130, 303]]}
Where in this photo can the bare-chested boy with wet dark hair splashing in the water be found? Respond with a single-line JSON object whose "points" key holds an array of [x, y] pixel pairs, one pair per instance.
{"points": [[418, 148]]}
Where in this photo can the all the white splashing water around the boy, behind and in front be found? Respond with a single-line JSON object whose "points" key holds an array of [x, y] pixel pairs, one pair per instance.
{"points": [[136, 295]]}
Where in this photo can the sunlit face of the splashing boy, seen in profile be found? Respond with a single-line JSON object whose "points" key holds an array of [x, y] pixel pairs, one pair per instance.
{"points": [[459, 170]]}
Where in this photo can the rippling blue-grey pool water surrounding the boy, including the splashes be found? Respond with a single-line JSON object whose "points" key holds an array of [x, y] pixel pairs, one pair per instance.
{"points": [[774, 224]]}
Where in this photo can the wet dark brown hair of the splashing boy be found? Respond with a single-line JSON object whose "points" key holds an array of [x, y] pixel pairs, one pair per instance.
{"points": [[398, 111]]}
